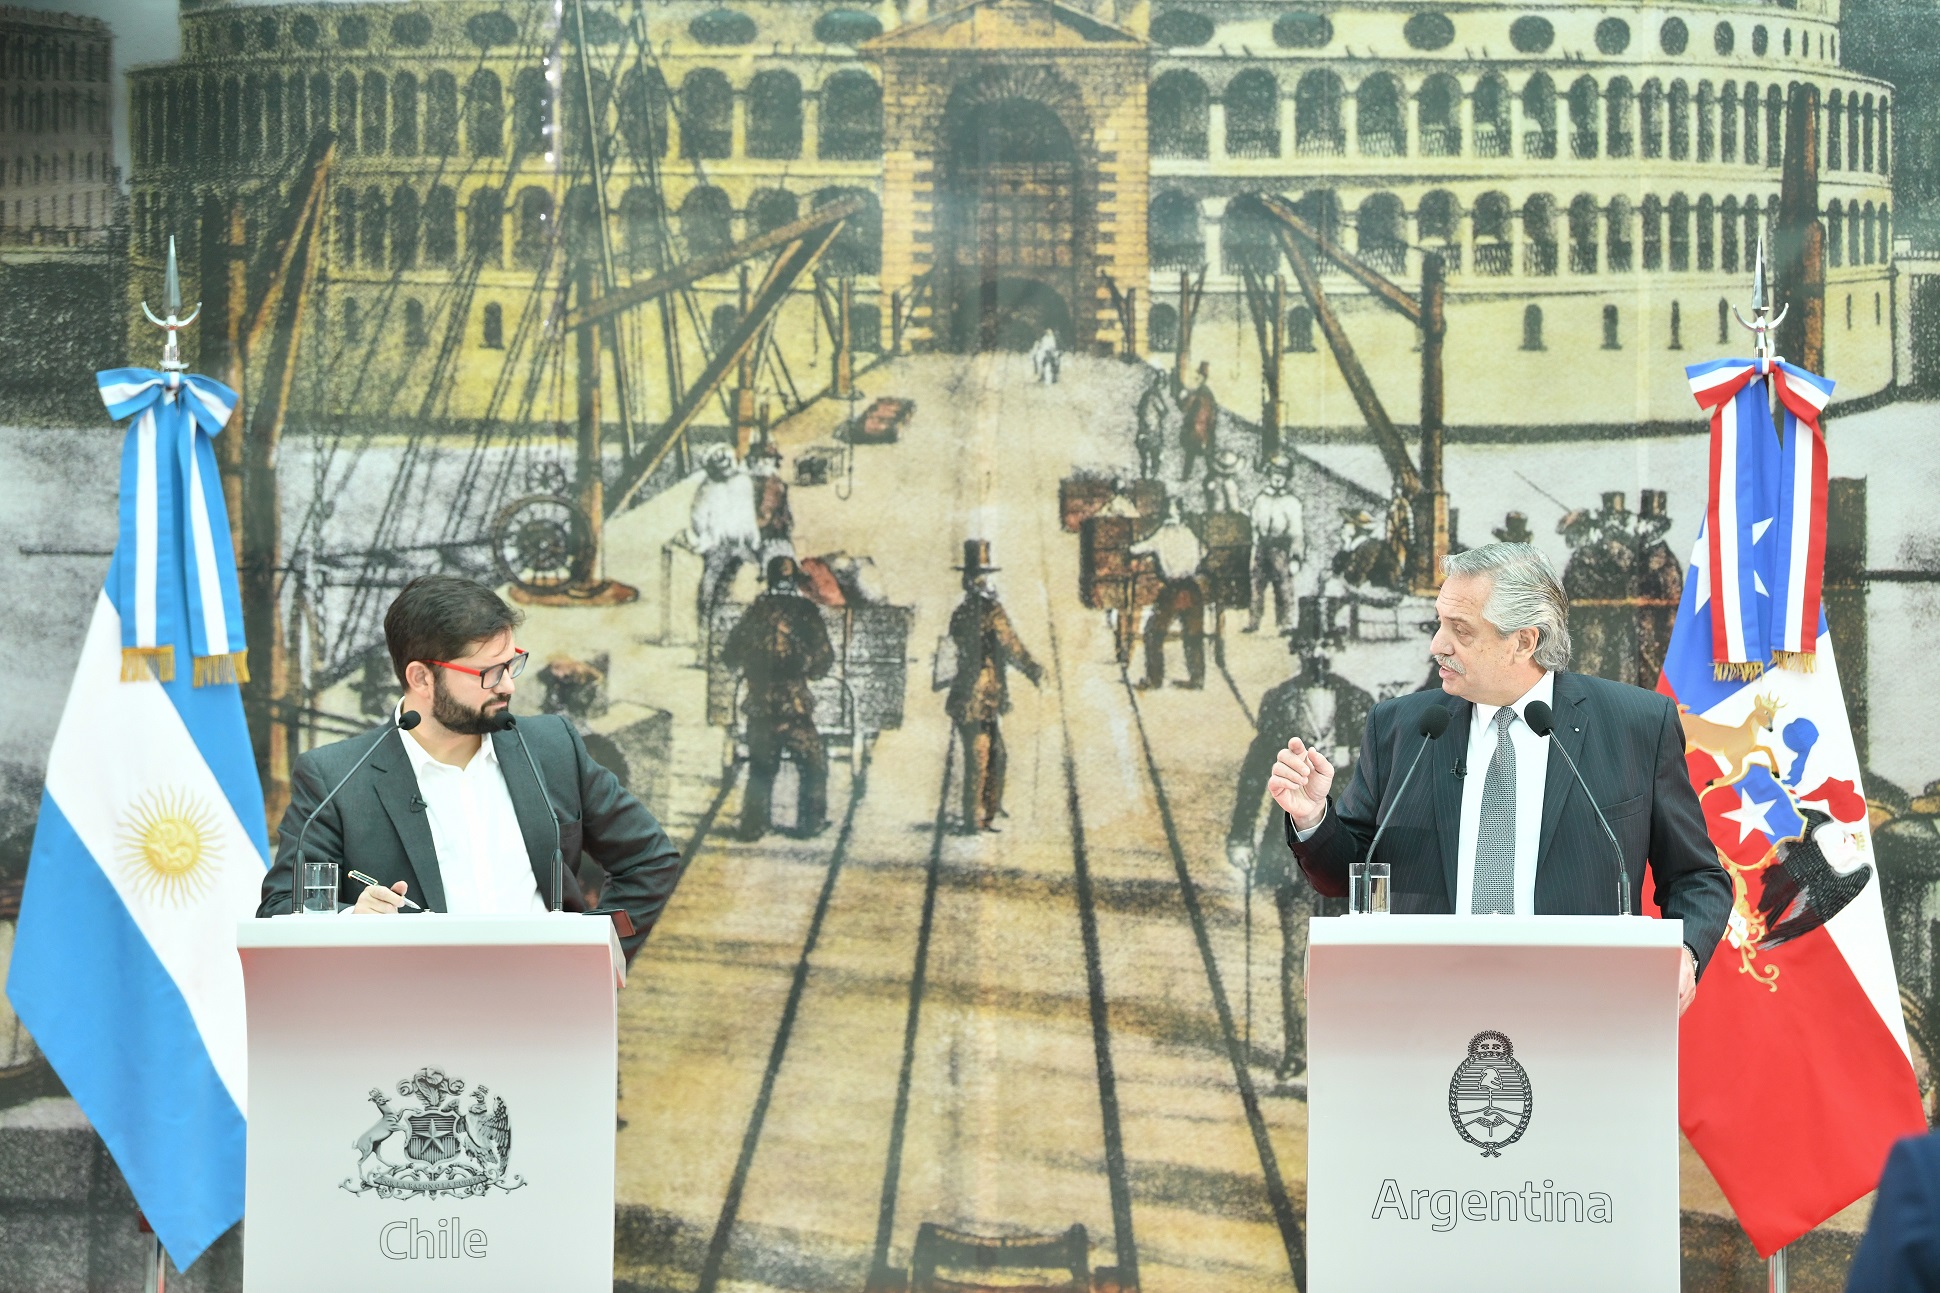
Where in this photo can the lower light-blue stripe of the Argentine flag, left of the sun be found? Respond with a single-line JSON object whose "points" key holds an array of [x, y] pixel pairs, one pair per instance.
{"points": [[112, 1020]]}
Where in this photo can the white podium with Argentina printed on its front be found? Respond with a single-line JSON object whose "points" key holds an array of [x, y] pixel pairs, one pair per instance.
{"points": [[1493, 1104]]}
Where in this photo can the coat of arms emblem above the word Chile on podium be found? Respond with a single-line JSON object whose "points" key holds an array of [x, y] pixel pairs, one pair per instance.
{"points": [[441, 1148]]}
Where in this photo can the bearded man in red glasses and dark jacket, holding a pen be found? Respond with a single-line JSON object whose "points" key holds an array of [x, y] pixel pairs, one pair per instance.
{"points": [[451, 814]]}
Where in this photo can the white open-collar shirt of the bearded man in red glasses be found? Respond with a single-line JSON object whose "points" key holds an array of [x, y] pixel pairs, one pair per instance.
{"points": [[482, 853]]}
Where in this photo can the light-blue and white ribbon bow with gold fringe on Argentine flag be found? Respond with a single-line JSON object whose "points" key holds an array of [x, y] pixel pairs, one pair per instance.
{"points": [[176, 564]]}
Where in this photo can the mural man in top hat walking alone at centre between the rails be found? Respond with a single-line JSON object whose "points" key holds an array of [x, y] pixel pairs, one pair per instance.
{"points": [[981, 694]]}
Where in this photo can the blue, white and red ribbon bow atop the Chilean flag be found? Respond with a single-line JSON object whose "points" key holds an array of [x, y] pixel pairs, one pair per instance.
{"points": [[1766, 521]]}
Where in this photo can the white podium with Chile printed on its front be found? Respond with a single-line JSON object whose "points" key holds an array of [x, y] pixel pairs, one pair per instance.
{"points": [[432, 1104]]}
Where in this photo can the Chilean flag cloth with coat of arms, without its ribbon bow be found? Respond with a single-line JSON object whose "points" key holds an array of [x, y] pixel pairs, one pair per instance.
{"points": [[1795, 1075]]}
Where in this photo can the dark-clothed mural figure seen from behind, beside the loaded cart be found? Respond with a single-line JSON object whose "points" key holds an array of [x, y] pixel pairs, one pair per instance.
{"points": [[781, 644]]}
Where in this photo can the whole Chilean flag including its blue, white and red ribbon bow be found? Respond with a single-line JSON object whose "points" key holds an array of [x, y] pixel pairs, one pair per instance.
{"points": [[1795, 1075]]}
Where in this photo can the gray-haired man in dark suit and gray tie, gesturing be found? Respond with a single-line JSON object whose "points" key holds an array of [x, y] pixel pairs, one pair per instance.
{"points": [[1497, 820]]}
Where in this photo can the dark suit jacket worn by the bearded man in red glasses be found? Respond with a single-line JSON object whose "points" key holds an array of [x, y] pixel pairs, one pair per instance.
{"points": [[379, 826]]}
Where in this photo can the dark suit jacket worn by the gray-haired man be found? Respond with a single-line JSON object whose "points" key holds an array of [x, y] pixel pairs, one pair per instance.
{"points": [[1631, 748]]}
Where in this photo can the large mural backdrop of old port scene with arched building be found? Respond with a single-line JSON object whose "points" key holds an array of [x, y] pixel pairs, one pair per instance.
{"points": [[1196, 331]]}
